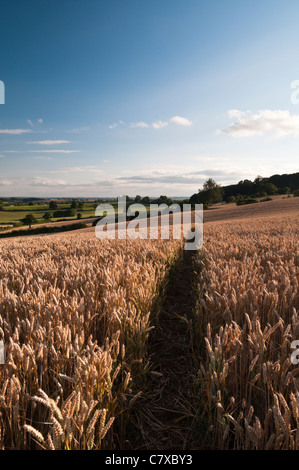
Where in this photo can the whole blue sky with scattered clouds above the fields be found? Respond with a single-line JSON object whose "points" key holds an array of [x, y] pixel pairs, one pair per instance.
{"points": [[111, 97]]}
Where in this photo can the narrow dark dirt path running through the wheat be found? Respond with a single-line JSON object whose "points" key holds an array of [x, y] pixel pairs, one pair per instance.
{"points": [[164, 416]]}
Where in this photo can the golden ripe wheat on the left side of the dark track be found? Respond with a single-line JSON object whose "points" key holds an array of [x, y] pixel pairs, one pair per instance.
{"points": [[74, 317]]}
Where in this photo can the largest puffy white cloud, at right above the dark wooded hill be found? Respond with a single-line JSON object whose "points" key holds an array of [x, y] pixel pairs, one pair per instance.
{"points": [[277, 122]]}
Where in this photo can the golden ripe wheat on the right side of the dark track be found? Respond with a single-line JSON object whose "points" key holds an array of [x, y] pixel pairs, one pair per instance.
{"points": [[247, 317]]}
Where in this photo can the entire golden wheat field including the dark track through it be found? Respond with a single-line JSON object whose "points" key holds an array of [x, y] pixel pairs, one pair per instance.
{"points": [[134, 345]]}
